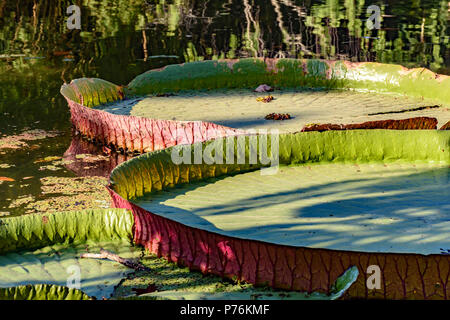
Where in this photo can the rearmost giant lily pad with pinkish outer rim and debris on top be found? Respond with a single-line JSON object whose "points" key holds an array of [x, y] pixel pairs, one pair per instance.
{"points": [[163, 107]]}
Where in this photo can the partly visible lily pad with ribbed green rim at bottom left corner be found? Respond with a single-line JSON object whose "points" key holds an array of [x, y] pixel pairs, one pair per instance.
{"points": [[45, 249]]}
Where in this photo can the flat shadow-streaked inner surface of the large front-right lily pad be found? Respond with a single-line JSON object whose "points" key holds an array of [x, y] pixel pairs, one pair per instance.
{"points": [[366, 207]]}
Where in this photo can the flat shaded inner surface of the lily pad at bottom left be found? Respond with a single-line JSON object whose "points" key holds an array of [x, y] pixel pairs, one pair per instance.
{"points": [[55, 264]]}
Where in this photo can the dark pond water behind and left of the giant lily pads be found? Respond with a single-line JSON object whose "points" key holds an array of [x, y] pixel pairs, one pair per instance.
{"points": [[121, 39]]}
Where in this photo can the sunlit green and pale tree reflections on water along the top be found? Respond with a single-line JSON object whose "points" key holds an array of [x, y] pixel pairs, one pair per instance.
{"points": [[195, 30]]}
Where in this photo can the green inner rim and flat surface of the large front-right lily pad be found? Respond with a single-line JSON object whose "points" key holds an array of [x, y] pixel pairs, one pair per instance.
{"points": [[378, 191]]}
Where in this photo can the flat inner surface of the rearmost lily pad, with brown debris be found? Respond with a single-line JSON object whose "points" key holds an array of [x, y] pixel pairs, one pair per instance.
{"points": [[238, 108]]}
